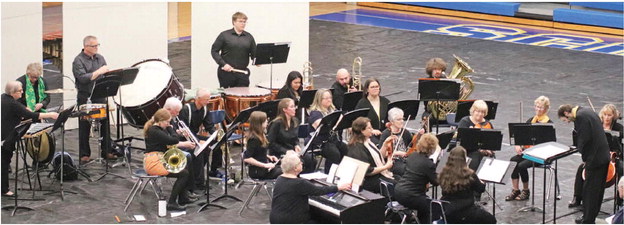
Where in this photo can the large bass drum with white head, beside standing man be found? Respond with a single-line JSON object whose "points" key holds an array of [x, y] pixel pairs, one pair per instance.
{"points": [[155, 82]]}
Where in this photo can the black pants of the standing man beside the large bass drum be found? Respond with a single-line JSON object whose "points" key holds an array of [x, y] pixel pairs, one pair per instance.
{"points": [[84, 130]]}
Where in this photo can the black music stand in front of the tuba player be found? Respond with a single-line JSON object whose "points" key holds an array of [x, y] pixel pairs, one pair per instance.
{"points": [[438, 90]]}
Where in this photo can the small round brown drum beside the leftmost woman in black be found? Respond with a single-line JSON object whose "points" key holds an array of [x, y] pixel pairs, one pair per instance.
{"points": [[43, 144]]}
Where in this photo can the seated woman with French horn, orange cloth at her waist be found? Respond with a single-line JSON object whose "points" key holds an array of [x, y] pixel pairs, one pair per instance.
{"points": [[159, 134]]}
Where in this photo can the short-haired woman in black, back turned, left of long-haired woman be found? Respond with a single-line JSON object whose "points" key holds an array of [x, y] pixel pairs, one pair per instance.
{"points": [[411, 190]]}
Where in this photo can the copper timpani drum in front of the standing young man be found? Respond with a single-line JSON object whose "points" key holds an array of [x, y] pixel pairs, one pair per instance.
{"points": [[240, 98]]}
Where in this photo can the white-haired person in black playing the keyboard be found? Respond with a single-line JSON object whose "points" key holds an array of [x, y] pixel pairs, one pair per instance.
{"points": [[290, 194]]}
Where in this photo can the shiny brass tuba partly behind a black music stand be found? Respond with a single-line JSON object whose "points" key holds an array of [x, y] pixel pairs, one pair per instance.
{"points": [[459, 71]]}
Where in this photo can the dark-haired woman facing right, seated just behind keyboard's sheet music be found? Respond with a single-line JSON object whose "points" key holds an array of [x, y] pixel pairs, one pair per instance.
{"points": [[363, 149]]}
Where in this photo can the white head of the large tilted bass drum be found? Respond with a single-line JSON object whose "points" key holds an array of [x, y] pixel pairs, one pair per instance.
{"points": [[152, 79]]}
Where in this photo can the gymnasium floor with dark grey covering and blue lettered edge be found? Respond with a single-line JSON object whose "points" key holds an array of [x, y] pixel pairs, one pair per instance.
{"points": [[394, 47]]}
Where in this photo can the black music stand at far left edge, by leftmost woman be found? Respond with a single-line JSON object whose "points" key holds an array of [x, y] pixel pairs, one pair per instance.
{"points": [[15, 138]]}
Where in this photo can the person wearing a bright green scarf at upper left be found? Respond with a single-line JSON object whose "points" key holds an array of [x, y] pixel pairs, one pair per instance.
{"points": [[34, 96]]}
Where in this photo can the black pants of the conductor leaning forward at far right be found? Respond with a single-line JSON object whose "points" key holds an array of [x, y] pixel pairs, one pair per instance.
{"points": [[593, 192]]}
